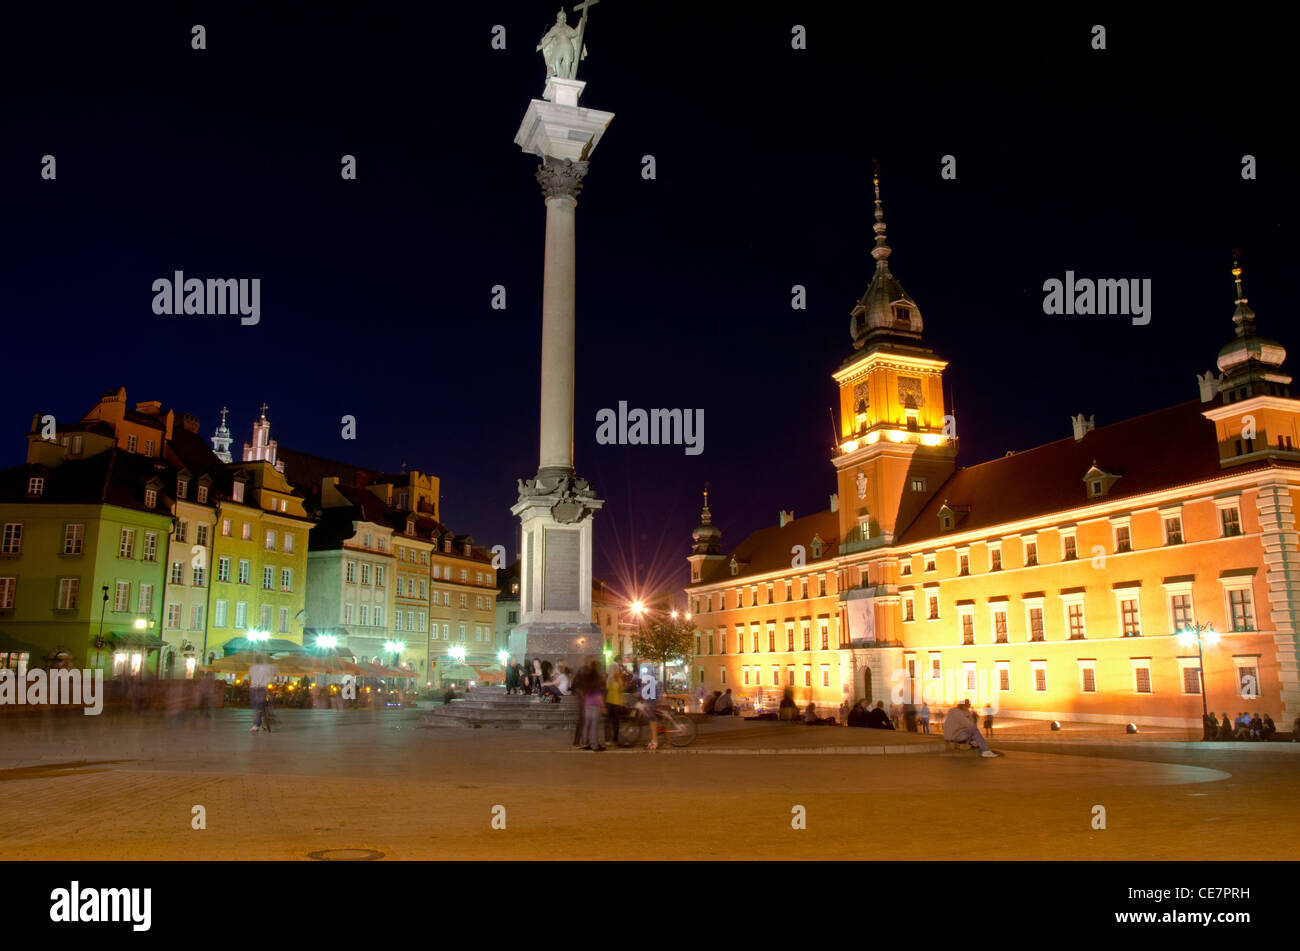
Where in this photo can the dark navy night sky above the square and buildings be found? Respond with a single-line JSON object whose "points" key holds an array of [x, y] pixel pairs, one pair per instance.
{"points": [[376, 294]]}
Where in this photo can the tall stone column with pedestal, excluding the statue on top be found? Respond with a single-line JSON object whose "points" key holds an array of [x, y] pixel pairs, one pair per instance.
{"points": [[556, 507]]}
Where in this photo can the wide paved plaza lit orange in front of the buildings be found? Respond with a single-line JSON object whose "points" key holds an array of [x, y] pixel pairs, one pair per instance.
{"points": [[124, 787]]}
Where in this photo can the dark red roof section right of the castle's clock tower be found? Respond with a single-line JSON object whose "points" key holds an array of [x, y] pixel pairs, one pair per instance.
{"points": [[1151, 453]]}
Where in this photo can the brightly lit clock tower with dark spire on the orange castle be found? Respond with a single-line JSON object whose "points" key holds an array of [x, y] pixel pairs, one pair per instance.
{"points": [[896, 442]]}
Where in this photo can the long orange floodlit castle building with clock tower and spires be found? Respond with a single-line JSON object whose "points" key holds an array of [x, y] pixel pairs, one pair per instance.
{"points": [[1064, 583]]}
